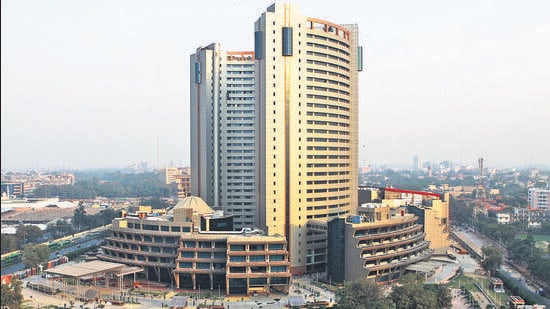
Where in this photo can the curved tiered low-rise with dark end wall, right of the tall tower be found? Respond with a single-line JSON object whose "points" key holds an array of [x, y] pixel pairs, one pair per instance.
{"points": [[378, 244]]}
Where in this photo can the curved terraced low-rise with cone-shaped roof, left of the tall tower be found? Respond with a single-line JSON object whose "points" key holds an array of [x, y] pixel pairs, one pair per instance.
{"points": [[194, 246]]}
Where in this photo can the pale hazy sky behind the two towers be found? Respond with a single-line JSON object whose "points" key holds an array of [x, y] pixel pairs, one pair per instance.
{"points": [[102, 83]]}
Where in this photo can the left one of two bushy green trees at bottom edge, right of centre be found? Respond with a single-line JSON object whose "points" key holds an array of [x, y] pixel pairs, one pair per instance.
{"points": [[361, 294]]}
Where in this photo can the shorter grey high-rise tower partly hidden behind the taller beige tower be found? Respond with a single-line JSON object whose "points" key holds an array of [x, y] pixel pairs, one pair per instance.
{"points": [[222, 131]]}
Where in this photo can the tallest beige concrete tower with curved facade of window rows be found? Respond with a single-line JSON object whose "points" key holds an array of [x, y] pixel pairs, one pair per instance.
{"points": [[306, 91]]}
